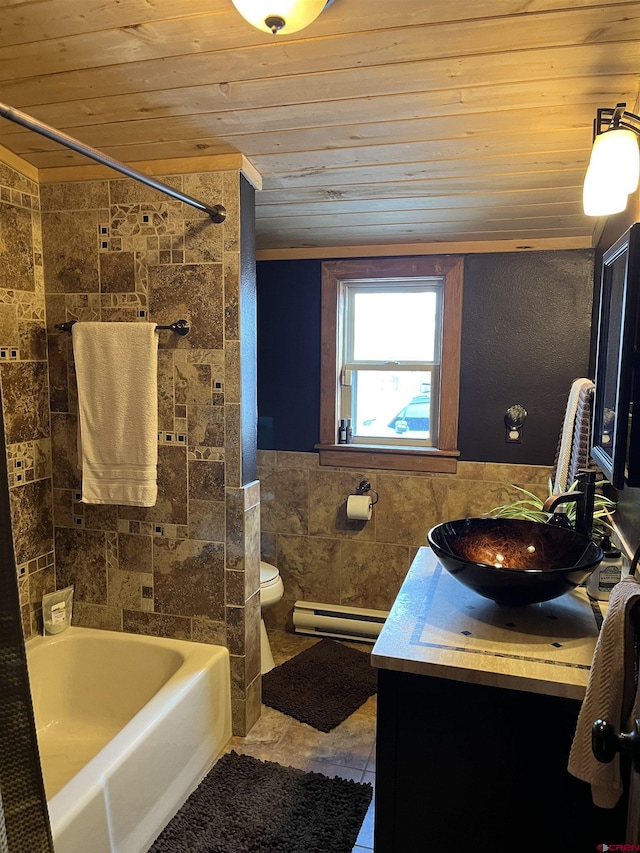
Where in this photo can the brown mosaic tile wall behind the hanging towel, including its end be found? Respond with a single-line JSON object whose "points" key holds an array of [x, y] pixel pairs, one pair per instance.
{"points": [[119, 251]]}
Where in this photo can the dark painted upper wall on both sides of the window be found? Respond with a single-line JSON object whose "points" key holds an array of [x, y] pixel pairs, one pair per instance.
{"points": [[525, 338]]}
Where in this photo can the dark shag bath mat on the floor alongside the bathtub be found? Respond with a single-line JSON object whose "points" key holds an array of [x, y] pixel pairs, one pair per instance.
{"points": [[250, 806]]}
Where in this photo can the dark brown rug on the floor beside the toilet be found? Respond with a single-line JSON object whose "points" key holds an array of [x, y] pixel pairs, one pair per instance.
{"points": [[321, 686]]}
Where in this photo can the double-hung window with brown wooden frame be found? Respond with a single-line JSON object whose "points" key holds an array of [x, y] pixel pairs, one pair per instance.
{"points": [[391, 360]]}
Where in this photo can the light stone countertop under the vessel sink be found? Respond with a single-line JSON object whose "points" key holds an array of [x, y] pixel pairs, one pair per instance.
{"points": [[439, 627]]}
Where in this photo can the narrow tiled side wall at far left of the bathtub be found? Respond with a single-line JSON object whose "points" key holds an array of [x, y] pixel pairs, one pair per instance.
{"points": [[23, 375]]}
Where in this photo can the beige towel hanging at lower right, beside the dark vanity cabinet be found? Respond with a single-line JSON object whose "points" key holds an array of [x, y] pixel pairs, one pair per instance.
{"points": [[611, 687]]}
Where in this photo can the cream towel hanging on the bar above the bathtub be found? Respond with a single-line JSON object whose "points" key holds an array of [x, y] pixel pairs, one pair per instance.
{"points": [[117, 370]]}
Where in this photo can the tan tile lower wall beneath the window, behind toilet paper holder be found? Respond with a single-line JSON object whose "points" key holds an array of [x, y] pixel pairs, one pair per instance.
{"points": [[323, 556]]}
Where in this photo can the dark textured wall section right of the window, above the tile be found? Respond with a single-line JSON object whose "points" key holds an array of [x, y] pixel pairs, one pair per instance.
{"points": [[526, 328]]}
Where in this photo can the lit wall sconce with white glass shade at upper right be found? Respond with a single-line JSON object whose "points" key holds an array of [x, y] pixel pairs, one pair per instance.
{"points": [[614, 166]]}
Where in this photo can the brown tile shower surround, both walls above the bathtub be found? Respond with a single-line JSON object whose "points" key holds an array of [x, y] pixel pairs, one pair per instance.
{"points": [[118, 251]]}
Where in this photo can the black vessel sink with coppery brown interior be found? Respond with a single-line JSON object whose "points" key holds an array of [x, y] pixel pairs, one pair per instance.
{"points": [[513, 561]]}
